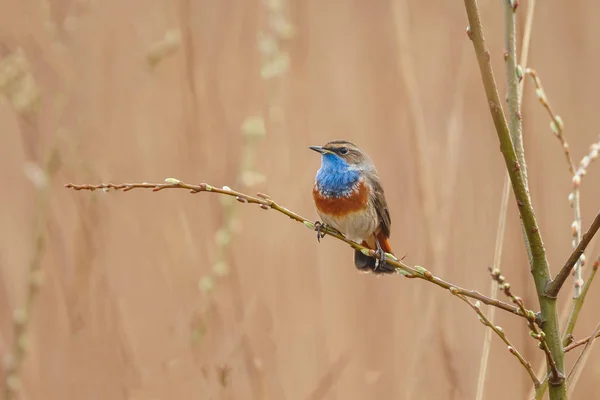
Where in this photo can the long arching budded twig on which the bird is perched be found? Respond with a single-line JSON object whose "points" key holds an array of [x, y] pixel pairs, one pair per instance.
{"points": [[266, 203]]}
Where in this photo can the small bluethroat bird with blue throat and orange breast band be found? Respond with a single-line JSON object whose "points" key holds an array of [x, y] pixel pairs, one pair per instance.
{"points": [[350, 199]]}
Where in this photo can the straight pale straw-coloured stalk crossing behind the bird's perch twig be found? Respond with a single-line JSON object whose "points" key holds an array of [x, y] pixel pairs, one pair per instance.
{"points": [[487, 341]]}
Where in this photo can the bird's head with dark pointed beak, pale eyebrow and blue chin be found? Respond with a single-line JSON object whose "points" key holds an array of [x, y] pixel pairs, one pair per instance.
{"points": [[340, 155]]}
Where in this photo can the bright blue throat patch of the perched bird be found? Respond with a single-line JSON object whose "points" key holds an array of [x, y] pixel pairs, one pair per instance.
{"points": [[335, 178]]}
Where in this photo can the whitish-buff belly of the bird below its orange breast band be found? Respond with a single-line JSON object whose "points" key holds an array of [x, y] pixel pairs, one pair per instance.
{"points": [[356, 225]]}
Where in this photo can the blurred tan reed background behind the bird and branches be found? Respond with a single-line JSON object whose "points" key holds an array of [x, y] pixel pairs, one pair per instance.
{"points": [[176, 296]]}
